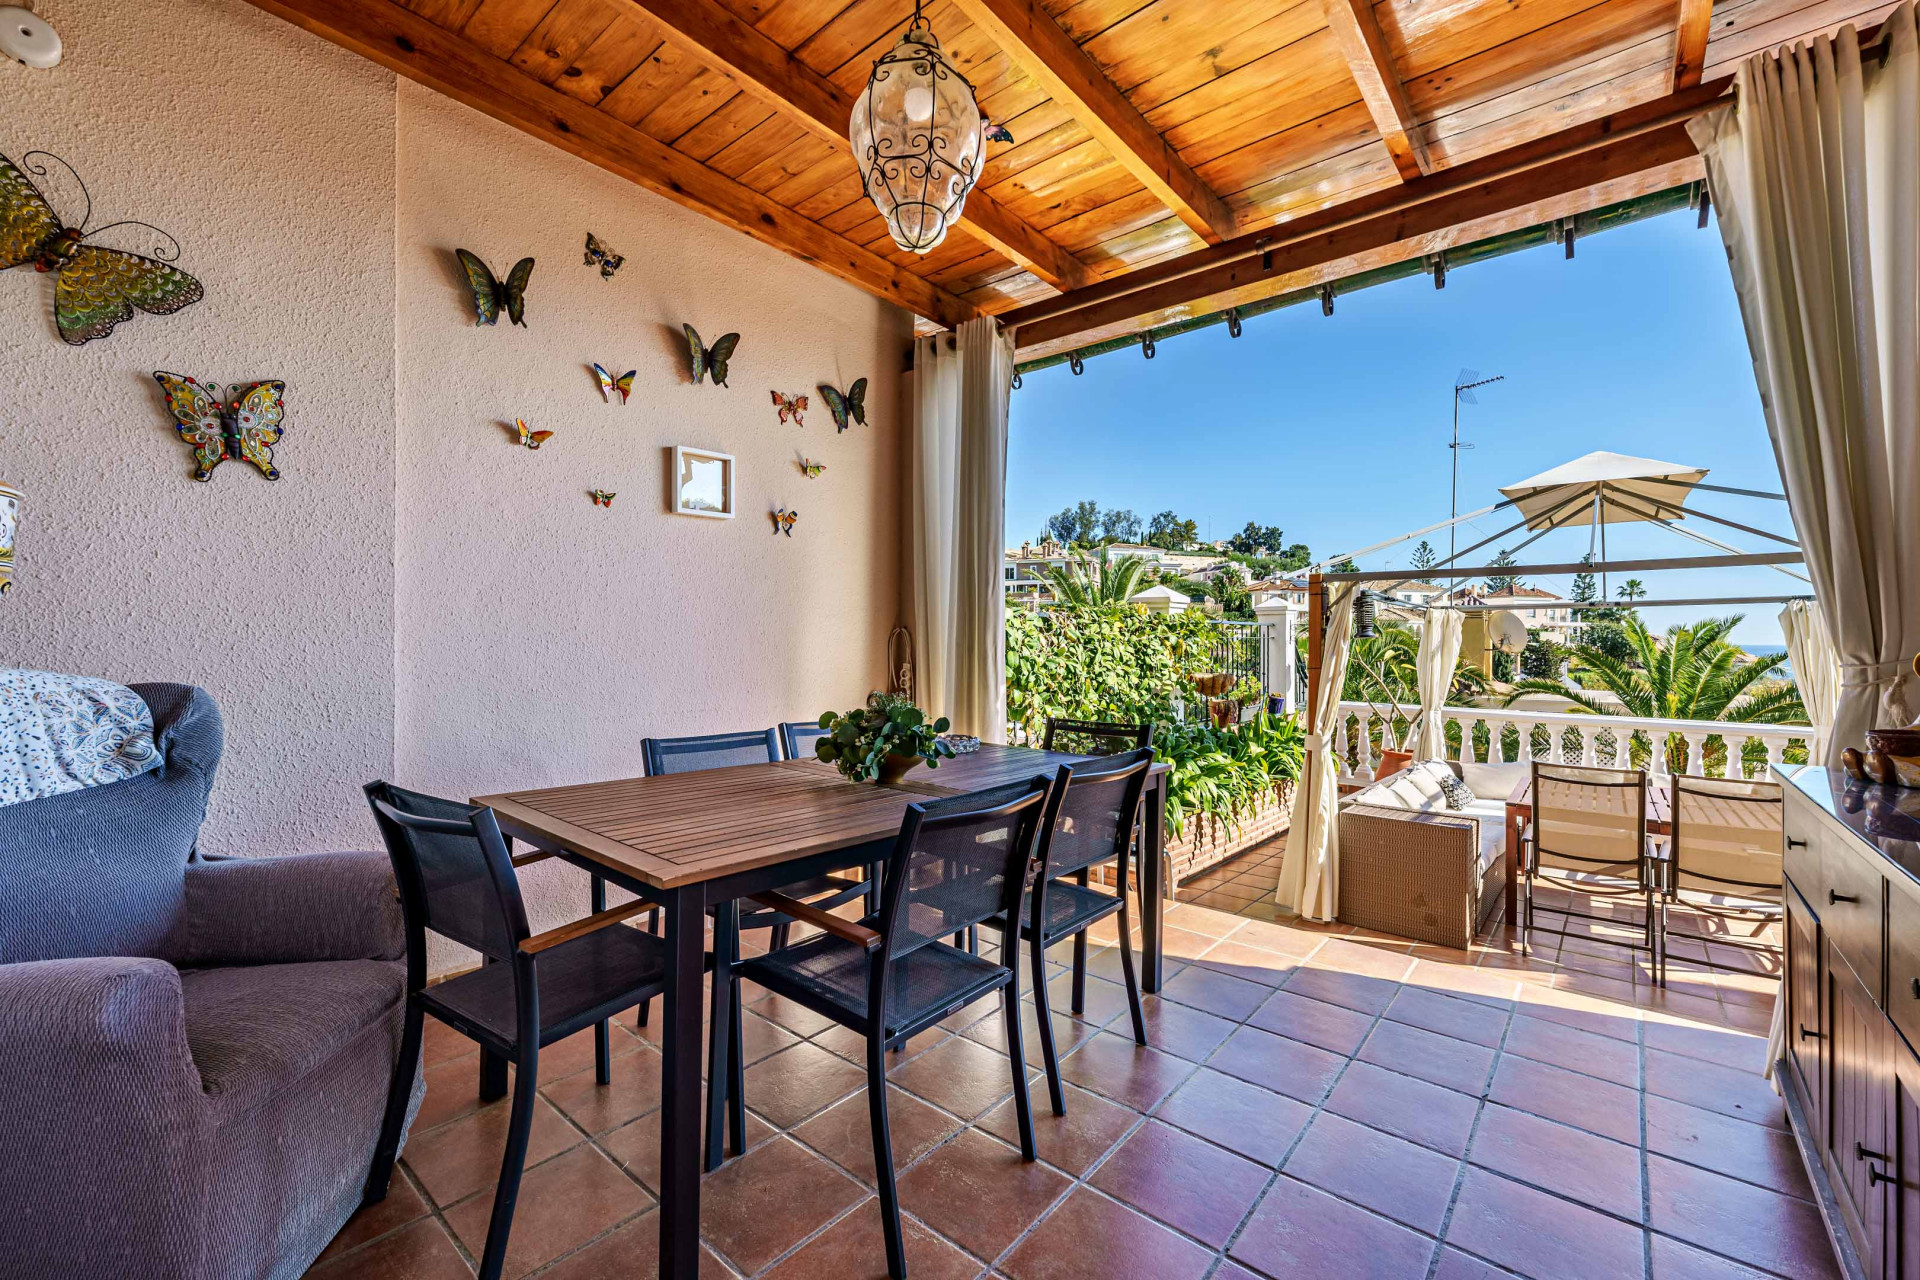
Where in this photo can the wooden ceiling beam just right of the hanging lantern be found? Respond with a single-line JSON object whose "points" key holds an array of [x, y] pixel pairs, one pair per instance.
{"points": [[1076, 82]]}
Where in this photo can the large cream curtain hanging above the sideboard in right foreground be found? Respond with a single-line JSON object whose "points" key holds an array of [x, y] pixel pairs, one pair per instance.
{"points": [[1817, 178]]}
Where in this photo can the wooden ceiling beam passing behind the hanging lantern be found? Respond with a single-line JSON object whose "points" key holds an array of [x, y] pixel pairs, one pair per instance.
{"points": [[763, 68]]}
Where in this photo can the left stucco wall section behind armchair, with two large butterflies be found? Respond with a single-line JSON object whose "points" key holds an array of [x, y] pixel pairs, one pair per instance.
{"points": [[272, 156]]}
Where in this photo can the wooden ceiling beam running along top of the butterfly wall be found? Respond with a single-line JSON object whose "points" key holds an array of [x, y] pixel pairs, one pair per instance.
{"points": [[441, 60]]}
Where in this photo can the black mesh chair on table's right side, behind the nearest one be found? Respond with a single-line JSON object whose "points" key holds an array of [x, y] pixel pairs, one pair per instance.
{"points": [[1090, 820]]}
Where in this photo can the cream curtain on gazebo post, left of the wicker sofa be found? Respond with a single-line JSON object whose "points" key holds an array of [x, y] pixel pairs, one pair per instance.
{"points": [[1310, 874]]}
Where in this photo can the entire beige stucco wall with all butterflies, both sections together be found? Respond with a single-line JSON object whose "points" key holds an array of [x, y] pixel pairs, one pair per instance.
{"points": [[418, 598]]}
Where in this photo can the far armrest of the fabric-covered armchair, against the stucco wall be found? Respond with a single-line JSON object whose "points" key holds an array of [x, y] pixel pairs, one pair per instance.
{"points": [[287, 911]]}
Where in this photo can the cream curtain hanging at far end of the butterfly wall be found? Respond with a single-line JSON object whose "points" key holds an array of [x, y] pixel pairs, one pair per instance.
{"points": [[957, 492]]}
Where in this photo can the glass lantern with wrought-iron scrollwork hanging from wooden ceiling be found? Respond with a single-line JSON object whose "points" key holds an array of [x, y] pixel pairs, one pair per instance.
{"points": [[919, 139]]}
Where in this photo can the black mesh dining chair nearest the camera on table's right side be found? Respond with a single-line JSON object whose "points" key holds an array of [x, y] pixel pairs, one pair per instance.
{"points": [[890, 976]]}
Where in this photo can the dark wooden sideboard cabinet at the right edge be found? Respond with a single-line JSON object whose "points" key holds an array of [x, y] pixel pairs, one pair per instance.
{"points": [[1852, 1074]]}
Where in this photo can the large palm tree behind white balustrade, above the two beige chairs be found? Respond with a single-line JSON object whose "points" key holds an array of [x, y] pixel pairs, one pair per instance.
{"points": [[1691, 673]]}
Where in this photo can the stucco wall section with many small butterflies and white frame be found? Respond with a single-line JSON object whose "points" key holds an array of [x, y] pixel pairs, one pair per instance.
{"points": [[540, 636]]}
